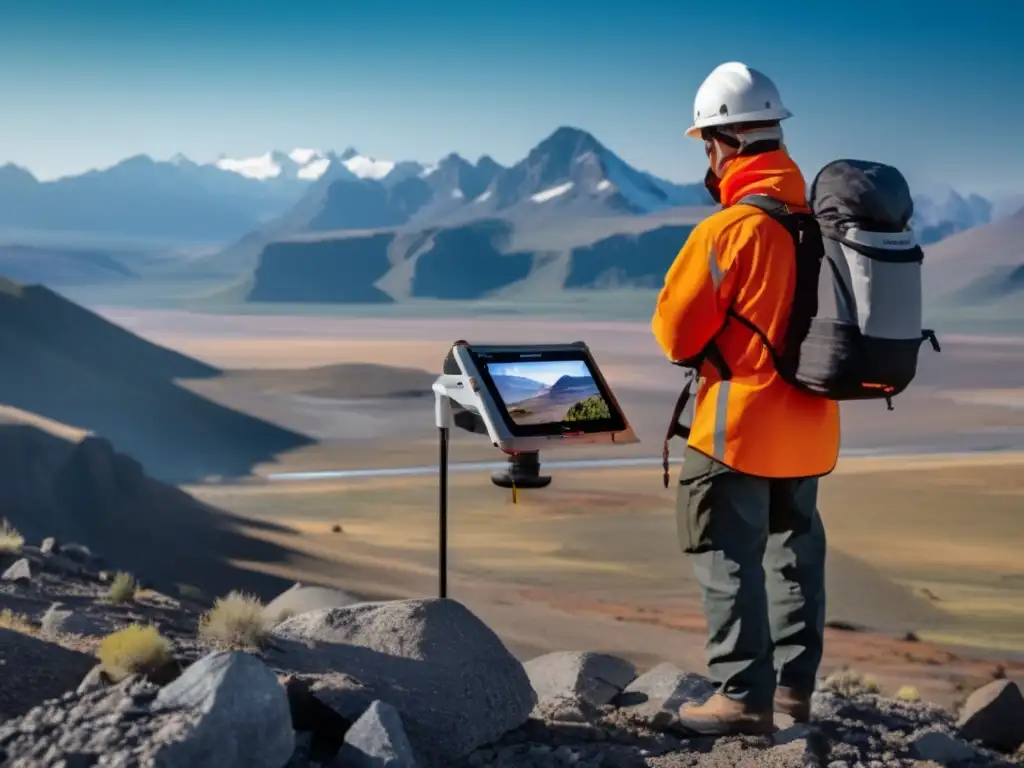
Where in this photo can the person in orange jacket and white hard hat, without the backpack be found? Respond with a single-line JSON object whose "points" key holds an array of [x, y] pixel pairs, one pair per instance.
{"points": [[747, 505]]}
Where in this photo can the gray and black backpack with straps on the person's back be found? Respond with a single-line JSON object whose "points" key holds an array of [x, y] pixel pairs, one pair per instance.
{"points": [[856, 326]]}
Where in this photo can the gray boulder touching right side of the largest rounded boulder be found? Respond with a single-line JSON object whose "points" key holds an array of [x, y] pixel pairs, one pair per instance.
{"points": [[594, 679]]}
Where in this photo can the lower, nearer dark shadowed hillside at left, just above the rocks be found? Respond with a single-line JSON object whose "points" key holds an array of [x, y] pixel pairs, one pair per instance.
{"points": [[89, 494]]}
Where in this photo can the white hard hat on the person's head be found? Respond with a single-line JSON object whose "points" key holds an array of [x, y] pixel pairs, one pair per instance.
{"points": [[736, 94]]}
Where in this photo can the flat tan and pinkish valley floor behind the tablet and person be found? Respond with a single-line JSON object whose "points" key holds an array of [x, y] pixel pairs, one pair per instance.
{"points": [[928, 546]]}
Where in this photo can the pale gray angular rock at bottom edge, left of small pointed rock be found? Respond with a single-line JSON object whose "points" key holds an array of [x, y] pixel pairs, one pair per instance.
{"points": [[241, 710]]}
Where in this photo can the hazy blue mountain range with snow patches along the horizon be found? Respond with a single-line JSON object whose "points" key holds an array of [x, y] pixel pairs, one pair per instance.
{"points": [[308, 226]]}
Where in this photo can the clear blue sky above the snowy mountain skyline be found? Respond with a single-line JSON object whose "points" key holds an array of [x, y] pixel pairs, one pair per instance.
{"points": [[932, 88]]}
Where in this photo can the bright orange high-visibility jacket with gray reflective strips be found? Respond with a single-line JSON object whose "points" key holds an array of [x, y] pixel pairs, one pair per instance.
{"points": [[741, 259]]}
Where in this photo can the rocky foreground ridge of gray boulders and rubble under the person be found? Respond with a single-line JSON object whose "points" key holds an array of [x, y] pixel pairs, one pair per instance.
{"points": [[424, 684]]}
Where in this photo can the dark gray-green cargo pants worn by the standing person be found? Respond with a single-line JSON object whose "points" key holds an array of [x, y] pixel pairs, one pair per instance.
{"points": [[758, 549]]}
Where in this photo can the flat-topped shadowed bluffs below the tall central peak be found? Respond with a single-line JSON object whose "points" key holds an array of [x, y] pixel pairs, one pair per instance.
{"points": [[466, 263]]}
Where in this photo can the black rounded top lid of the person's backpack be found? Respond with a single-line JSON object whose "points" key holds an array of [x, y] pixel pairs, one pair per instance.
{"points": [[862, 195]]}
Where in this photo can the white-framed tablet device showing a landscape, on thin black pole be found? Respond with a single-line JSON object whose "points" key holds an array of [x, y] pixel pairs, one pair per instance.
{"points": [[524, 398]]}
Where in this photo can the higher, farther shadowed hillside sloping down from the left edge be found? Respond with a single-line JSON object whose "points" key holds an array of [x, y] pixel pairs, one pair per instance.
{"points": [[71, 366]]}
